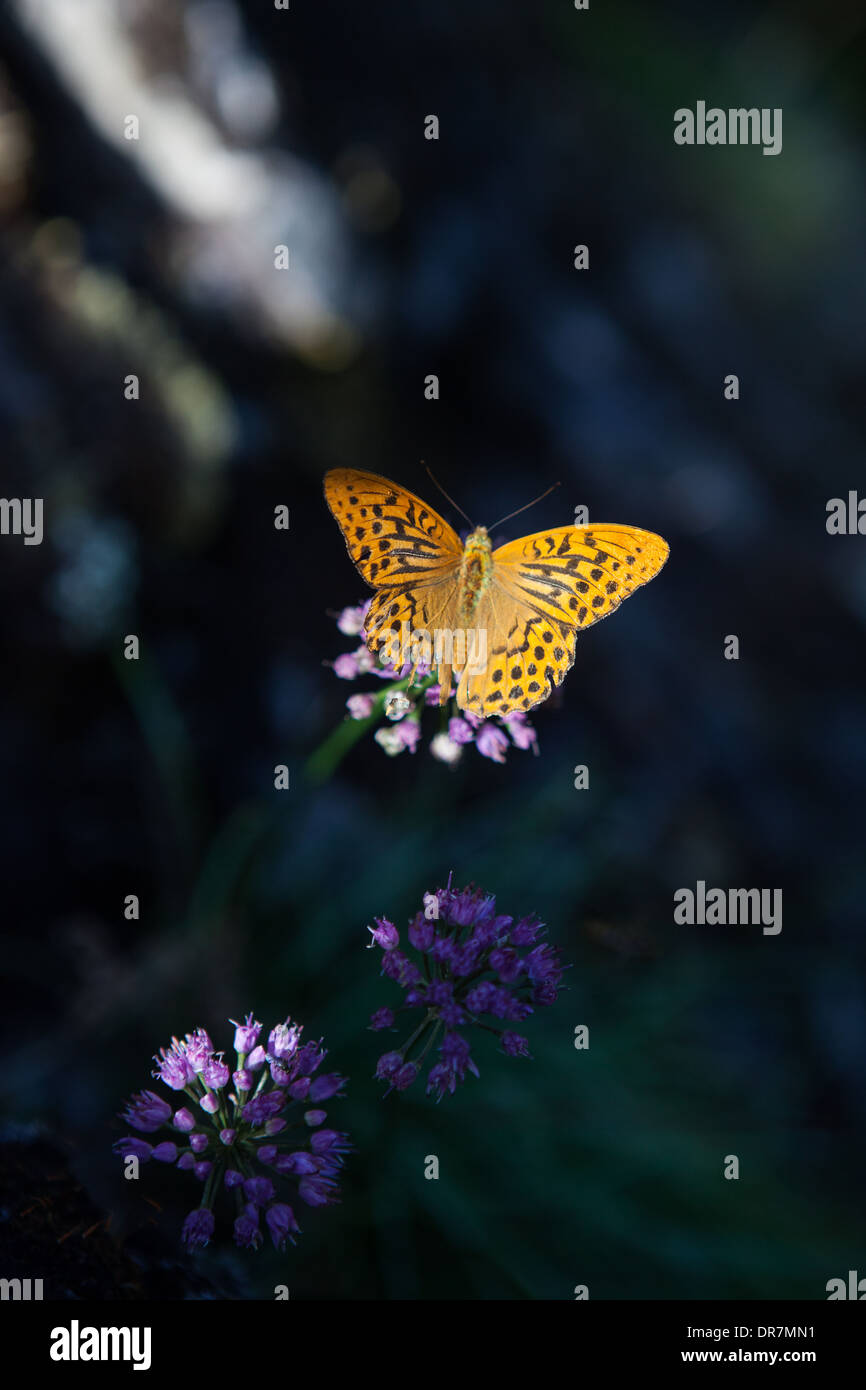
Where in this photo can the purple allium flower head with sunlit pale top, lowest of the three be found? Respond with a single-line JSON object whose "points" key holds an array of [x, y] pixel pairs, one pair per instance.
{"points": [[244, 1129]]}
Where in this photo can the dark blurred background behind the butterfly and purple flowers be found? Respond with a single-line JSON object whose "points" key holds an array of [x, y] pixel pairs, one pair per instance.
{"points": [[156, 258]]}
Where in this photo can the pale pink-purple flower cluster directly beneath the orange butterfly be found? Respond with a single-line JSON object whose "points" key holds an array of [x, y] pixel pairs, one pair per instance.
{"points": [[493, 737]]}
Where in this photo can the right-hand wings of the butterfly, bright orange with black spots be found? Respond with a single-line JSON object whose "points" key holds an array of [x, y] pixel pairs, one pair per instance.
{"points": [[546, 590]]}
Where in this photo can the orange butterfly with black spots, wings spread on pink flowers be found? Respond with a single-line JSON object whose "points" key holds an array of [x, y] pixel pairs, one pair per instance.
{"points": [[525, 603]]}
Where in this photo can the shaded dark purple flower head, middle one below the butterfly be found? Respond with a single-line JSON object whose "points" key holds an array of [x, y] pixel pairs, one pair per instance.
{"points": [[475, 967]]}
